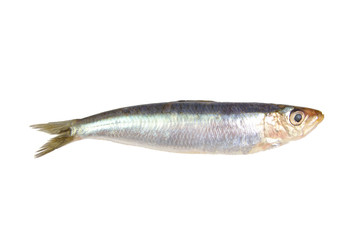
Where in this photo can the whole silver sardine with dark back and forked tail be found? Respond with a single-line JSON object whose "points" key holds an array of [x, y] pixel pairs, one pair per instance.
{"points": [[190, 127]]}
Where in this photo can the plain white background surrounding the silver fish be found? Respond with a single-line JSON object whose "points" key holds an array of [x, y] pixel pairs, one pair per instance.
{"points": [[70, 59]]}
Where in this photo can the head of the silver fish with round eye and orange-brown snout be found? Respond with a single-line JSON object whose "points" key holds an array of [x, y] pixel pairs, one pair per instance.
{"points": [[290, 123]]}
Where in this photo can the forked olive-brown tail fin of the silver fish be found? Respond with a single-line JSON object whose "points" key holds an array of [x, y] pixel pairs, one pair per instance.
{"points": [[62, 129]]}
